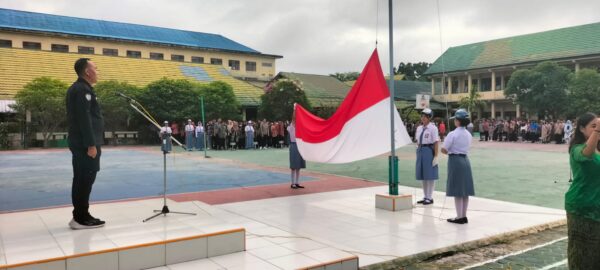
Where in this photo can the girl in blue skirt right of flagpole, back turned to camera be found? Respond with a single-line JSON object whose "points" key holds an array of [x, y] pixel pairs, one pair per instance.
{"points": [[460, 177]]}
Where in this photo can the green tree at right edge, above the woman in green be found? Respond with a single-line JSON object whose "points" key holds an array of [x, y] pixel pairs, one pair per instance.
{"points": [[584, 92]]}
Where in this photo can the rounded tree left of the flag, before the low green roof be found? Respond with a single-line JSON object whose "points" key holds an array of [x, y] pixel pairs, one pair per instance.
{"points": [[278, 102]]}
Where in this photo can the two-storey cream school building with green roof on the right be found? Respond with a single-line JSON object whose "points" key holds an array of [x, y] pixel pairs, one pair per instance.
{"points": [[487, 66]]}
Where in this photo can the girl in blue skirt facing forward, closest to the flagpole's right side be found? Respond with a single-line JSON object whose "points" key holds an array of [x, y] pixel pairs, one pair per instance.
{"points": [[427, 166]]}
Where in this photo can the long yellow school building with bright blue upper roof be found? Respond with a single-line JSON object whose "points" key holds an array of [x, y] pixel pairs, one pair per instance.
{"points": [[36, 44]]}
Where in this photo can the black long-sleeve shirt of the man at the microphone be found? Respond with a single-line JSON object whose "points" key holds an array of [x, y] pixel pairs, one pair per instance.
{"points": [[86, 124]]}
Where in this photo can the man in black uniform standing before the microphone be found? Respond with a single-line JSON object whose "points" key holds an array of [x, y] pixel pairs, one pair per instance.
{"points": [[86, 128]]}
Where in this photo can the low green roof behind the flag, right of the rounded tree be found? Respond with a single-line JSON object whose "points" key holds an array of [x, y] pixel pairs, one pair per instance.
{"points": [[321, 90]]}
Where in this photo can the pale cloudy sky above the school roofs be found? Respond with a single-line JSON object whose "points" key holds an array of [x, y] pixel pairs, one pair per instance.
{"points": [[327, 36]]}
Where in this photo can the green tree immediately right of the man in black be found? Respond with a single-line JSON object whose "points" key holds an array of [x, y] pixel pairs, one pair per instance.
{"points": [[115, 109]]}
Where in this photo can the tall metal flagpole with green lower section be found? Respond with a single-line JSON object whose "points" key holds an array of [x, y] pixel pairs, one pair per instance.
{"points": [[393, 160]]}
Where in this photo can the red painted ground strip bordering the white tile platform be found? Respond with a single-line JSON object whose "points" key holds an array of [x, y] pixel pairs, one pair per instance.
{"points": [[324, 183]]}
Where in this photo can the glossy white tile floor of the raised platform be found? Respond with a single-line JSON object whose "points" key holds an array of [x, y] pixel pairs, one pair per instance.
{"points": [[281, 233]]}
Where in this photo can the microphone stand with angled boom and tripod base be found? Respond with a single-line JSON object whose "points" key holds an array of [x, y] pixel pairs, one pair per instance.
{"points": [[168, 138]]}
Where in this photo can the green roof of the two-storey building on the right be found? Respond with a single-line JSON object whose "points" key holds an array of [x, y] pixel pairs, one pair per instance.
{"points": [[556, 44]]}
